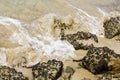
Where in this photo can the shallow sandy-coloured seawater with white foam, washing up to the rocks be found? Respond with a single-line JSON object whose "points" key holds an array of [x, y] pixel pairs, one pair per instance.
{"points": [[26, 27]]}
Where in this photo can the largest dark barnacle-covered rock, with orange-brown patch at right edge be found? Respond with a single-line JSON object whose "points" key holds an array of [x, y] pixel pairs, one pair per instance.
{"points": [[97, 60]]}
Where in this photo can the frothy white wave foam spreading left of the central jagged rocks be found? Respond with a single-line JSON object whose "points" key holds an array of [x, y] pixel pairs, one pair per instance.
{"points": [[40, 44]]}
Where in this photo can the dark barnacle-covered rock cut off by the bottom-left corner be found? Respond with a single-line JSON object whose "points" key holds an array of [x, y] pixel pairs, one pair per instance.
{"points": [[7, 73]]}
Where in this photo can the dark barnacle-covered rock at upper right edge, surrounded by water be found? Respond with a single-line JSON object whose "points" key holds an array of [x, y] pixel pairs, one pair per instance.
{"points": [[112, 27]]}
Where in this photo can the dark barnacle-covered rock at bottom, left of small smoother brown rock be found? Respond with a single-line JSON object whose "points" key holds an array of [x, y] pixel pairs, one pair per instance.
{"points": [[51, 70]]}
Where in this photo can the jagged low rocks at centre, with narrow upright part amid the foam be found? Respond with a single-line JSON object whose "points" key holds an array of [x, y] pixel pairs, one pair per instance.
{"points": [[76, 37]]}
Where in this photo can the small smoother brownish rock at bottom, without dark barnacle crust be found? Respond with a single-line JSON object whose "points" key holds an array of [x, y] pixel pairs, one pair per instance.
{"points": [[67, 74]]}
